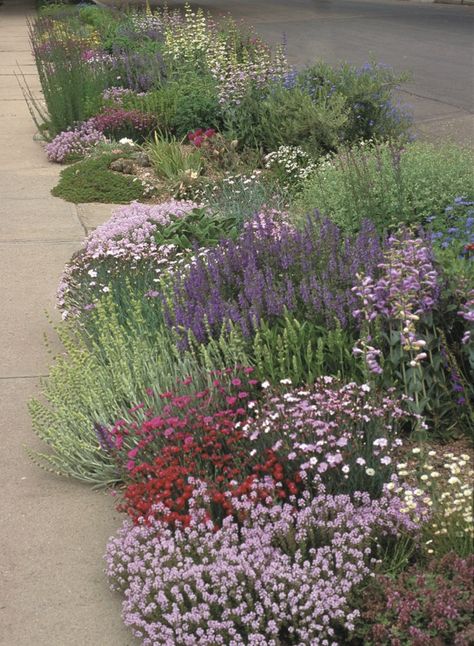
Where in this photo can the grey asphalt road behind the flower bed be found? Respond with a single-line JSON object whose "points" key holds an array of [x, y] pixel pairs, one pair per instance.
{"points": [[433, 41]]}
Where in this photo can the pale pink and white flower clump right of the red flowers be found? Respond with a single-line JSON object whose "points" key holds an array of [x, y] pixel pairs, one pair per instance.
{"points": [[331, 431]]}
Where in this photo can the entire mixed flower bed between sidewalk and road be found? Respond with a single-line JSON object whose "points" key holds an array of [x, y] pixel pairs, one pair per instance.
{"points": [[269, 350]]}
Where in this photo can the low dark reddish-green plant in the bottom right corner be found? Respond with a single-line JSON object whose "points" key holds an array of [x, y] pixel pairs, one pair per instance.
{"points": [[425, 605]]}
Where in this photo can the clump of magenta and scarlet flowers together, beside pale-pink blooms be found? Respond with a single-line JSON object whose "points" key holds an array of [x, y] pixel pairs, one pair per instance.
{"points": [[192, 441]]}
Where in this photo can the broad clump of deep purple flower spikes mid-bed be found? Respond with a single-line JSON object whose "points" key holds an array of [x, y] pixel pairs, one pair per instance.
{"points": [[268, 271]]}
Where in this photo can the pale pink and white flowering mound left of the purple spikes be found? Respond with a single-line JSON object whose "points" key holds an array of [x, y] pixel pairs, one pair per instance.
{"points": [[138, 241]]}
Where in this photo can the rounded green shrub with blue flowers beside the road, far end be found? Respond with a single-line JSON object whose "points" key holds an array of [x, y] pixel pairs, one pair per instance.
{"points": [[319, 109]]}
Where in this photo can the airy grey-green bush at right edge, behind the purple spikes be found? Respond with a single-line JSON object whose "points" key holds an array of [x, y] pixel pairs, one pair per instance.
{"points": [[389, 184]]}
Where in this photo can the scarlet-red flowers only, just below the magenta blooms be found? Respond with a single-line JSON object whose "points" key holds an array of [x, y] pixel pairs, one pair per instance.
{"points": [[221, 458]]}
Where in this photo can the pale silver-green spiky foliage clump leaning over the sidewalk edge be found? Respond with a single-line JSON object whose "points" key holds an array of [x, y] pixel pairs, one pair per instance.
{"points": [[96, 380]]}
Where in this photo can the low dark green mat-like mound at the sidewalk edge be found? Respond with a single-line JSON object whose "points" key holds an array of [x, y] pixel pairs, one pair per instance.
{"points": [[90, 180]]}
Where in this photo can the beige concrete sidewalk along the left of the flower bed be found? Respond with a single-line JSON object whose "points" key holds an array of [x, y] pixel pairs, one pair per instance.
{"points": [[53, 591]]}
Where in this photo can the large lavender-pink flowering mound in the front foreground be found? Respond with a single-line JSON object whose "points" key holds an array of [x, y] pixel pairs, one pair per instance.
{"points": [[282, 576]]}
